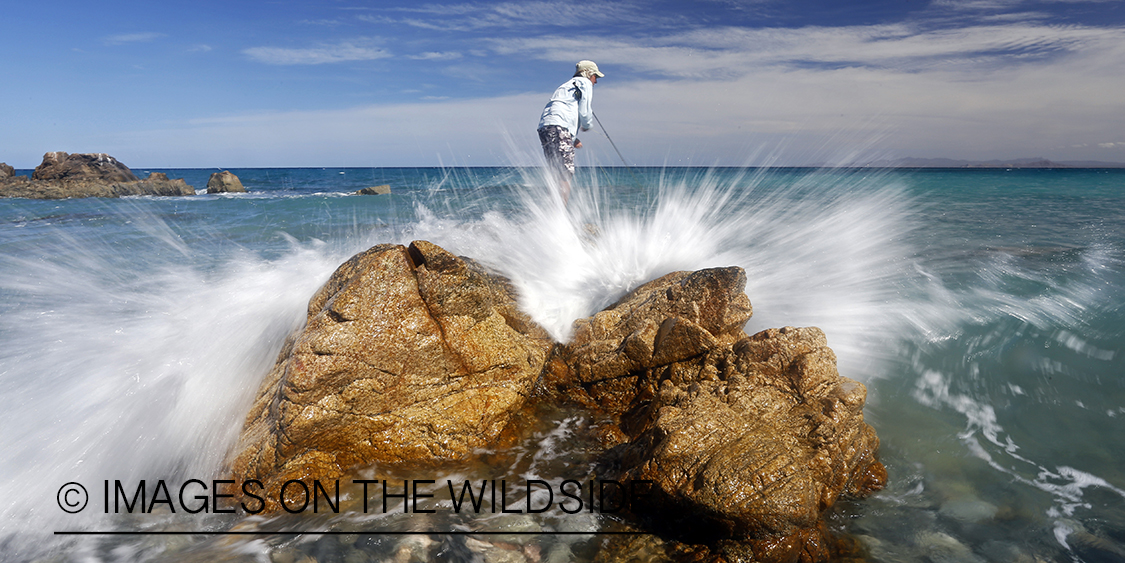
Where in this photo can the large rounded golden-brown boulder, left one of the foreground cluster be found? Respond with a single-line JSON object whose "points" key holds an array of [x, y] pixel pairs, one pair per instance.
{"points": [[410, 356]]}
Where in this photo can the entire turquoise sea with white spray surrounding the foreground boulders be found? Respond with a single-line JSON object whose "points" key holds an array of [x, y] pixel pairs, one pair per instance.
{"points": [[984, 309]]}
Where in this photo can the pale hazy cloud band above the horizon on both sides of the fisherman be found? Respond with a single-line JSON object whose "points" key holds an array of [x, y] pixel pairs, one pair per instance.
{"points": [[796, 117]]}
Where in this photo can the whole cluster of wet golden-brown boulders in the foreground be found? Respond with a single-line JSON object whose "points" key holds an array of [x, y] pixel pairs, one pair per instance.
{"points": [[412, 356]]}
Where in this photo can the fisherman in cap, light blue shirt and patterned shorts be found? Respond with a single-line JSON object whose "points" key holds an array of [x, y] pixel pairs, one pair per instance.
{"points": [[565, 114]]}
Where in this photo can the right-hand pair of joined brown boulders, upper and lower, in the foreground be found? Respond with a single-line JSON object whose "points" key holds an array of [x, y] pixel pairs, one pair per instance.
{"points": [[745, 439]]}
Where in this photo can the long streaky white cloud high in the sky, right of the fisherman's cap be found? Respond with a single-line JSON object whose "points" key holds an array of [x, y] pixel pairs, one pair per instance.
{"points": [[735, 52]]}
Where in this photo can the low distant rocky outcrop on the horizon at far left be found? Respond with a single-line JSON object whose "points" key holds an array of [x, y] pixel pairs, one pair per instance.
{"points": [[66, 176]]}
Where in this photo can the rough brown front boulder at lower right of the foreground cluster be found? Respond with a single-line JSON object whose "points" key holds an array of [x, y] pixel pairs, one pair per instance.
{"points": [[755, 442]]}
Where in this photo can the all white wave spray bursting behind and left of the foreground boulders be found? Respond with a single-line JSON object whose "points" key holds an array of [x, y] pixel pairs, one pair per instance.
{"points": [[133, 354]]}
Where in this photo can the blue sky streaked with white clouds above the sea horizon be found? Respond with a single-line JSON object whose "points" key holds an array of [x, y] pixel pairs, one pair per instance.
{"points": [[330, 84]]}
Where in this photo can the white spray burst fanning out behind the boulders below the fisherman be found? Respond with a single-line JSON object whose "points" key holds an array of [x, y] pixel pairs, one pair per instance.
{"points": [[820, 249]]}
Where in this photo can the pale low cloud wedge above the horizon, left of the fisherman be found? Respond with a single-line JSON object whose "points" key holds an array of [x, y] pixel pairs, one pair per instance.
{"points": [[421, 133]]}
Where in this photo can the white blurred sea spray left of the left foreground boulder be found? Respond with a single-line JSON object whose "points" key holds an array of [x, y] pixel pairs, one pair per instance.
{"points": [[132, 360]]}
